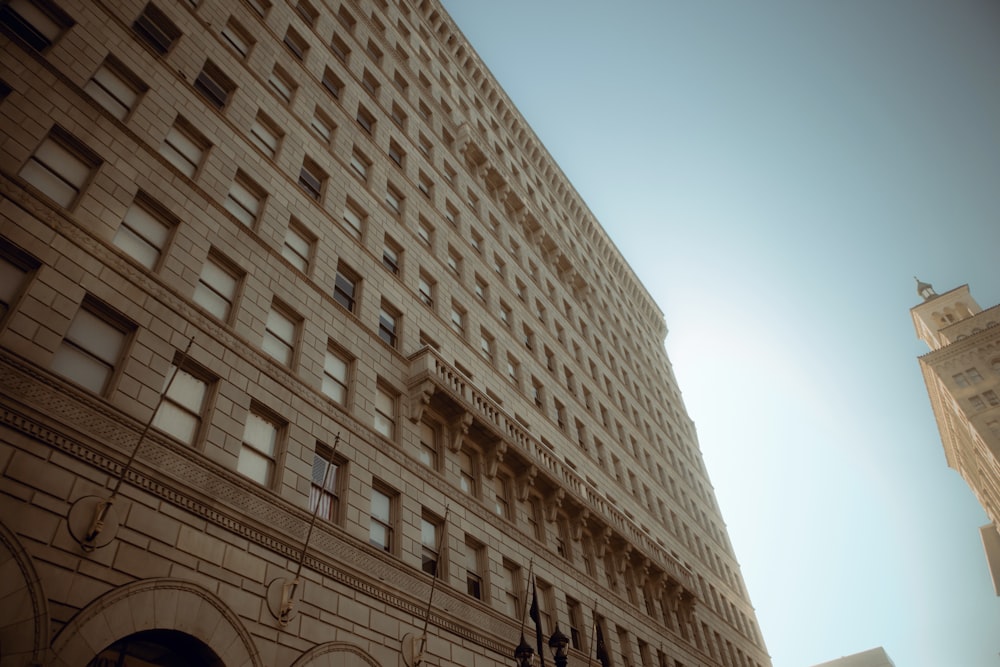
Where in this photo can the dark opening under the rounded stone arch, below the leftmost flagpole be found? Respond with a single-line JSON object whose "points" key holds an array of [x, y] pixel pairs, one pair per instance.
{"points": [[157, 648]]}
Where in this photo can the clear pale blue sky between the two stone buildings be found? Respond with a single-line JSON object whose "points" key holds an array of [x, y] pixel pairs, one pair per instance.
{"points": [[776, 173]]}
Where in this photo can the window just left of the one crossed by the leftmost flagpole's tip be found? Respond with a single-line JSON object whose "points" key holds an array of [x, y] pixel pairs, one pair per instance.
{"points": [[94, 344]]}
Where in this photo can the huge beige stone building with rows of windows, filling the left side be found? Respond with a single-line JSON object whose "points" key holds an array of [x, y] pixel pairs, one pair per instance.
{"points": [[310, 354]]}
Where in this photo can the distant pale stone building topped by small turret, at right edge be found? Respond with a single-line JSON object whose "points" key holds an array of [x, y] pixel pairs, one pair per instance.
{"points": [[962, 373]]}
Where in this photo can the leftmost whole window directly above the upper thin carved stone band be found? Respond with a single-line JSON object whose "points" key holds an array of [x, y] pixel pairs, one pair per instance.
{"points": [[60, 167]]}
